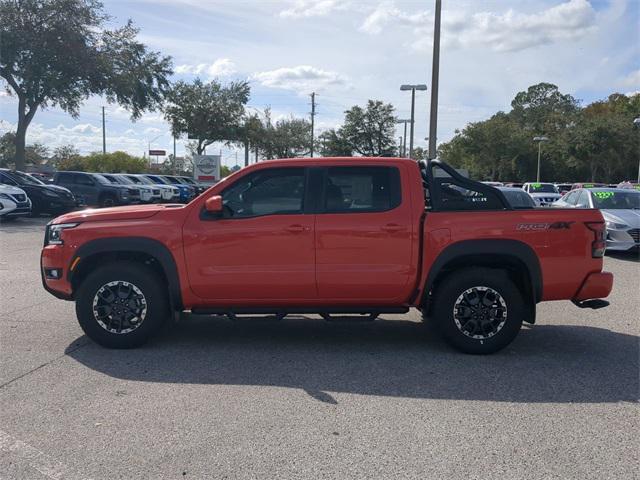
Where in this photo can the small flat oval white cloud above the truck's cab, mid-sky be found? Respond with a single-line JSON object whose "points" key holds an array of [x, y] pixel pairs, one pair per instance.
{"points": [[302, 78]]}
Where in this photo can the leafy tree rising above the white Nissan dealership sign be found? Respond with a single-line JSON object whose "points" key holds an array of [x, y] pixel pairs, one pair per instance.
{"points": [[207, 112]]}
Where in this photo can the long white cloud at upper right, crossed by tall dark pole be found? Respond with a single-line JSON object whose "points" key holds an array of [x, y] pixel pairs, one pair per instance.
{"points": [[508, 31]]}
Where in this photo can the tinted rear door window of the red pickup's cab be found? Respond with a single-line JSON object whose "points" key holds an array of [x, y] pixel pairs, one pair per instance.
{"points": [[362, 189]]}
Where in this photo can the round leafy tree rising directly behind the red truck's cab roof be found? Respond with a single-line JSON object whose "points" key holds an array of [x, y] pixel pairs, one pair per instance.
{"points": [[370, 131]]}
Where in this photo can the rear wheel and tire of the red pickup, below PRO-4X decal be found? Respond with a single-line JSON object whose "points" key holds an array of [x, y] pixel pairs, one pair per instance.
{"points": [[483, 327]]}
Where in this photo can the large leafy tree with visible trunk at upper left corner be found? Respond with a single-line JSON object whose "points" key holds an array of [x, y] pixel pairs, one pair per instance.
{"points": [[59, 53]]}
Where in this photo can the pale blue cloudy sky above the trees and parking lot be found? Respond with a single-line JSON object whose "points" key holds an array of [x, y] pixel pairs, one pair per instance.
{"points": [[349, 51]]}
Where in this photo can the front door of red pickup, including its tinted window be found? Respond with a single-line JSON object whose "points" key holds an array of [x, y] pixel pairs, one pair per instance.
{"points": [[262, 249]]}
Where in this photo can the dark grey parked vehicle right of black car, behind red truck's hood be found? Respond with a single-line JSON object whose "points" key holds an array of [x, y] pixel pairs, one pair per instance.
{"points": [[94, 190]]}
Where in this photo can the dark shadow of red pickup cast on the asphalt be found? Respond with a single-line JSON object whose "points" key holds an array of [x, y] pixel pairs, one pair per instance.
{"points": [[400, 358]]}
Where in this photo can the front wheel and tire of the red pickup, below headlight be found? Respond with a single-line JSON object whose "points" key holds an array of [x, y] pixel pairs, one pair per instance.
{"points": [[144, 316]]}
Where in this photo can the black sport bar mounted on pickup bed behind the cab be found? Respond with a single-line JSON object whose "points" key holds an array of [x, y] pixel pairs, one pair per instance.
{"points": [[451, 194]]}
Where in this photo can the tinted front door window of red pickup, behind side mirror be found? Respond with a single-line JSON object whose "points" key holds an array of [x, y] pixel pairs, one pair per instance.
{"points": [[268, 192]]}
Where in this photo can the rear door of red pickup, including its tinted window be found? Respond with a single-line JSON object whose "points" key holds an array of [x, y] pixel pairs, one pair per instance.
{"points": [[363, 256]]}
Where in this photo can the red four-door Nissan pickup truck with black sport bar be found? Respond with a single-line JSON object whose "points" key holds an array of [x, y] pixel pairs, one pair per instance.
{"points": [[340, 237]]}
